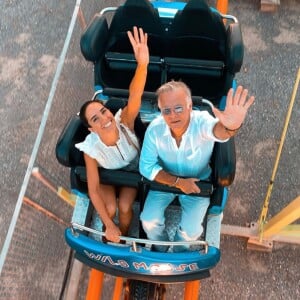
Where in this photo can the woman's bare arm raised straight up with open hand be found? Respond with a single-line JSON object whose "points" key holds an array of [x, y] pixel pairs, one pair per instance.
{"points": [[138, 41]]}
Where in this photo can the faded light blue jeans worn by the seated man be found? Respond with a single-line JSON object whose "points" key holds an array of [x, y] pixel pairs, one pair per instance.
{"points": [[190, 227]]}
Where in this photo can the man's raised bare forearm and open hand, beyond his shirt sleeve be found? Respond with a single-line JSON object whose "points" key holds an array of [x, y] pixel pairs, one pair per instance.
{"points": [[232, 118]]}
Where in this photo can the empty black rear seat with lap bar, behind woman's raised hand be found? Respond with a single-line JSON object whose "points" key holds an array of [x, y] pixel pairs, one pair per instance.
{"points": [[109, 48]]}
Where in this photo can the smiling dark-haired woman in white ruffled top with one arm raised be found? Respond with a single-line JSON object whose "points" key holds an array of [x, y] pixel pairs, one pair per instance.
{"points": [[112, 144]]}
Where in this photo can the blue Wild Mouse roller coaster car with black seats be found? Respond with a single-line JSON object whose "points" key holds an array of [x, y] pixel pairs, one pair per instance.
{"points": [[191, 42]]}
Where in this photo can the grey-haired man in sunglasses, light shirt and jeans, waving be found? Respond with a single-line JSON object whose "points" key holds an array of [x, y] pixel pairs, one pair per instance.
{"points": [[176, 152]]}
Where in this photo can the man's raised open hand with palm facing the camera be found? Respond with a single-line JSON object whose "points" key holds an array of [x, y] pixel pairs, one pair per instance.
{"points": [[236, 108]]}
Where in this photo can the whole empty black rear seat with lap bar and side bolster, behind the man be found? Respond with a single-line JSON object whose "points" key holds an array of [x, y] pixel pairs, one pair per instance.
{"points": [[199, 34]]}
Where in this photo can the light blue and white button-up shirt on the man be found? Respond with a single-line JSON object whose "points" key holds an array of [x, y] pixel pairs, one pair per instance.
{"points": [[190, 159]]}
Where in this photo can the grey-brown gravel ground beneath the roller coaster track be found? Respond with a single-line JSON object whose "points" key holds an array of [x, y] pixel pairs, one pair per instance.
{"points": [[32, 34]]}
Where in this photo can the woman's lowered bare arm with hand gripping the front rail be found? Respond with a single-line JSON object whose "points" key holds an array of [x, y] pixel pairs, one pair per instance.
{"points": [[93, 180]]}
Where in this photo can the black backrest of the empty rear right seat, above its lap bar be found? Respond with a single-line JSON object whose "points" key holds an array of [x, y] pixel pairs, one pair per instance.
{"points": [[197, 32]]}
